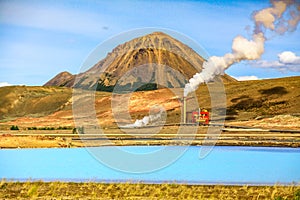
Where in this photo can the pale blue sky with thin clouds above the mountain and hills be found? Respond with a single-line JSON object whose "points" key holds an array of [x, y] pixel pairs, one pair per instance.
{"points": [[39, 39]]}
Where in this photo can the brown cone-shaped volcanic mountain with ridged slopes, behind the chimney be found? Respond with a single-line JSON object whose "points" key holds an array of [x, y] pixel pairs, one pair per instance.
{"points": [[148, 62]]}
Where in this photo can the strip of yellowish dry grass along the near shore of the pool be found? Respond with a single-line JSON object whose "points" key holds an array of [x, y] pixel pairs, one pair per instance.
{"points": [[90, 190]]}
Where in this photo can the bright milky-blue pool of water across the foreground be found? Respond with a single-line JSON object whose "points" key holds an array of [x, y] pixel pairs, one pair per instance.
{"points": [[223, 165]]}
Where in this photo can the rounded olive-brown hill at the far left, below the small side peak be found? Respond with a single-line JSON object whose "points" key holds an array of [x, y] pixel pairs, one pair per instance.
{"points": [[20, 101]]}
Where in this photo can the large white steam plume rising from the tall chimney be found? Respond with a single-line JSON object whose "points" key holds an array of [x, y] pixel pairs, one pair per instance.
{"points": [[271, 18]]}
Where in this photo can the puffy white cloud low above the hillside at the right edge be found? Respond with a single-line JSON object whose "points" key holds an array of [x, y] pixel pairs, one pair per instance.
{"points": [[287, 61]]}
